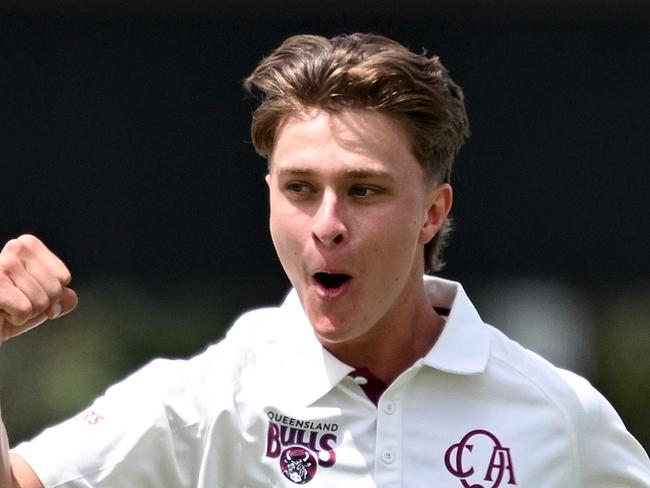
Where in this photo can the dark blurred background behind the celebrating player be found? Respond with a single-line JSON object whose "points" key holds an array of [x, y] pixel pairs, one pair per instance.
{"points": [[124, 145]]}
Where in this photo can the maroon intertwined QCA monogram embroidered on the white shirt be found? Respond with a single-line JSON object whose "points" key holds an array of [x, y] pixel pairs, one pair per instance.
{"points": [[467, 459]]}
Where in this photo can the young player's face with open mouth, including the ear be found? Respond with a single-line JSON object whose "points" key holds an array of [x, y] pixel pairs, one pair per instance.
{"points": [[350, 213]]}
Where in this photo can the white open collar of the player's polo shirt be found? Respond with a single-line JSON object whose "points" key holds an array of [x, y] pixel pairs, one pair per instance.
{"points": [[462, 348]]}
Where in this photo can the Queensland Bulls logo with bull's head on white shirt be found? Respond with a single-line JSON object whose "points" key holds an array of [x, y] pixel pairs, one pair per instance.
{"points": [[301, 446]]}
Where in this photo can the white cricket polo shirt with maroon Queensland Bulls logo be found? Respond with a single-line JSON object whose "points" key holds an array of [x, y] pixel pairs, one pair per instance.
{"points": [[268, 406]]}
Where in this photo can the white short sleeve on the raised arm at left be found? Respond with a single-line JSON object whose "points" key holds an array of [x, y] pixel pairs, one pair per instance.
{"points": [[146, 431]]}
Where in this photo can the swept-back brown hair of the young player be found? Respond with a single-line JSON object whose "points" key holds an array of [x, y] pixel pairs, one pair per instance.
{"points": [[366, 71]]}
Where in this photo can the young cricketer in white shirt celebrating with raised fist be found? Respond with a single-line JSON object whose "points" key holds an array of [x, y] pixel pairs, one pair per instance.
{"points": [[369, 374]]}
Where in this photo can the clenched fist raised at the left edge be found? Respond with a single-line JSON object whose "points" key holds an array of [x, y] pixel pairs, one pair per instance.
{"points": [[33, 286]]}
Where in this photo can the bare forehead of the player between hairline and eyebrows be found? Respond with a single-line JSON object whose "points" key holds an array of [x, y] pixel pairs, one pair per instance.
{"points": [[349, 138]]}
